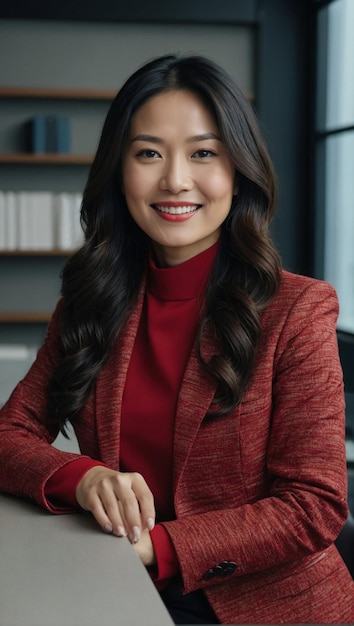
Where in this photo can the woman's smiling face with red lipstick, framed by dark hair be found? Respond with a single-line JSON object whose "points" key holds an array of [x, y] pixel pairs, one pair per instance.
{"points": [[178, 180]]}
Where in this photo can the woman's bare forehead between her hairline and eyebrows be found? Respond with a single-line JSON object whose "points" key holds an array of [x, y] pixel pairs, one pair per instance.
{"points": [[174, 110]]}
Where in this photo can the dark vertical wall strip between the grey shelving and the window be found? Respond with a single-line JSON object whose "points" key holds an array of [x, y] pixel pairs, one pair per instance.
{"points": [[284, 101]]}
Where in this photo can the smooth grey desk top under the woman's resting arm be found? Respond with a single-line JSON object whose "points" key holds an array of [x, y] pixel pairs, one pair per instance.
{"points": [[62, 570]]}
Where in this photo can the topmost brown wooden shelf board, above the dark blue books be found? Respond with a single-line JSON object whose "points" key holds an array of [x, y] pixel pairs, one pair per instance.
{"points": [[57, 94]]}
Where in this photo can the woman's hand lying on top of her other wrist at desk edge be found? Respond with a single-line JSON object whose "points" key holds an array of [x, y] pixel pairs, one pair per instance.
{"points": [[121, 502]]}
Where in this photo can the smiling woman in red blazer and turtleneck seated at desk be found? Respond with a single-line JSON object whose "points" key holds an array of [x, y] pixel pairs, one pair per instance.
{"points": [[202, 381]]}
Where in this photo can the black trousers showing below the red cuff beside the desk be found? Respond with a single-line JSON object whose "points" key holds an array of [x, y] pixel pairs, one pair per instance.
{"points": [[191, 608]]}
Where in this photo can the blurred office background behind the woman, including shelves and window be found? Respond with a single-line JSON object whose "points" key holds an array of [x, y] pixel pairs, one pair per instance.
{"points": [[65, 60]]}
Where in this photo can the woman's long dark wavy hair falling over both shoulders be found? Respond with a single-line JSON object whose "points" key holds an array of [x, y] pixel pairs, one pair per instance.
{"points": [[100, 282]]}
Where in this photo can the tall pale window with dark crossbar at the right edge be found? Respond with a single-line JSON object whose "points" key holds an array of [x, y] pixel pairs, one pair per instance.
{"points": [[335, 153]]}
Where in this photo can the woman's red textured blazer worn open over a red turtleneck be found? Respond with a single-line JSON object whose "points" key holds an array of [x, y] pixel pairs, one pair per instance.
{"points": [[263, 488]]}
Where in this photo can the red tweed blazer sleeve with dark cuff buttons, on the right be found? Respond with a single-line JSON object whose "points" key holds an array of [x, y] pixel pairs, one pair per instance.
{"points": [[305, 505]]}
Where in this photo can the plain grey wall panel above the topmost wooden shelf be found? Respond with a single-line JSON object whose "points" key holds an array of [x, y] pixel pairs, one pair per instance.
{"points": [[102, 55]]}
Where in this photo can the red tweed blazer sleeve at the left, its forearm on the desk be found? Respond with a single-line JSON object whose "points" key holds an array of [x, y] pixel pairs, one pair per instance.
{"points": [[27, 459]]}
